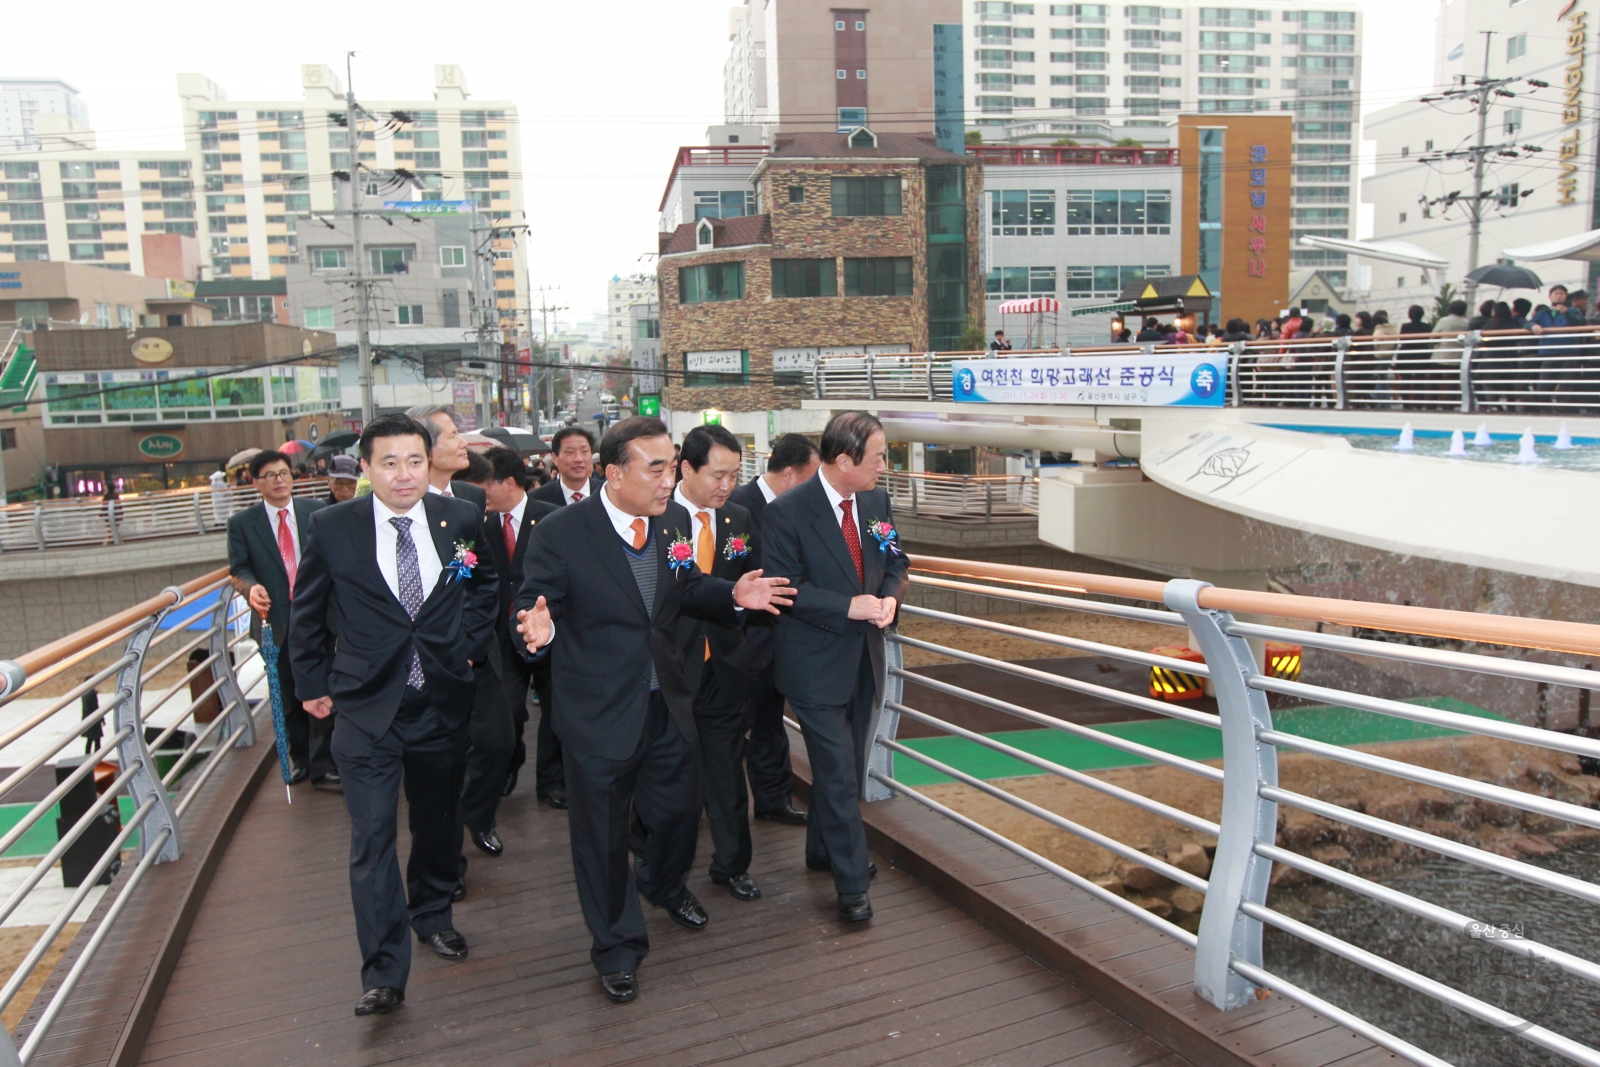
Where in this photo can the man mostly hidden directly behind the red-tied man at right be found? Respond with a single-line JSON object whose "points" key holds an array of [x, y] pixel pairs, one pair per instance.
{"points": [[794, 460]]}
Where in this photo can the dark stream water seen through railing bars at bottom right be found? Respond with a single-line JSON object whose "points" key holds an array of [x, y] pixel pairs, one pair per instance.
{"points": [[1542, 994]]}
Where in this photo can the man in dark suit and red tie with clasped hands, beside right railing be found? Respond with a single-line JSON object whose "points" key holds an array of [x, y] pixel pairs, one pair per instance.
{"points": [[834, 538]]}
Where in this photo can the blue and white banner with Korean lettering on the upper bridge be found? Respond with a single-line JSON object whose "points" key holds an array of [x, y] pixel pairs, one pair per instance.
{"points": [[1161, 380]]}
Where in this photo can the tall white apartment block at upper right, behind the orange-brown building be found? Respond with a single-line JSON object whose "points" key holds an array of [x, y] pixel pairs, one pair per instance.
{"points": [[1097, 74]]}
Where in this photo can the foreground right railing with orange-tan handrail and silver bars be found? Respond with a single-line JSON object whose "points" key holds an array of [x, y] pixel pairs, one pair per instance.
{"points": [[1230, 969]]}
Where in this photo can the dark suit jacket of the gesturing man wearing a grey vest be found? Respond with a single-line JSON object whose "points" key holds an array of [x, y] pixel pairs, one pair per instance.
{"points": [[606, 636]]}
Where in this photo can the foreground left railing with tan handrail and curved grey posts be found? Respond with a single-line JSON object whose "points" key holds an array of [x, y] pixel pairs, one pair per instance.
{"points": [[121, 745]]}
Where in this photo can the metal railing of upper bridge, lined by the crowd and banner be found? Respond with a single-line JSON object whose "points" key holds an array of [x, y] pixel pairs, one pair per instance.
{"points": [[1492, 370]]}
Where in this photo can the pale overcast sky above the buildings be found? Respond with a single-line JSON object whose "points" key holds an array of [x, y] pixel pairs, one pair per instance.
{"points": [[607, 92]]}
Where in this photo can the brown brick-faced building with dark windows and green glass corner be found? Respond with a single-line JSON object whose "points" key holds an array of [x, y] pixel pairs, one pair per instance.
{"points": [[863, 242]]}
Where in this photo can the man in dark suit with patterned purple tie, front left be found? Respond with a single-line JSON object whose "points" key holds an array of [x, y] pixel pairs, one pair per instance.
{"points": [[393, 577]]}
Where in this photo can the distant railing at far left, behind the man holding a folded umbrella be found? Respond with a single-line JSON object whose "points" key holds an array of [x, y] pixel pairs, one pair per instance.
{"points": [[92, 522]]}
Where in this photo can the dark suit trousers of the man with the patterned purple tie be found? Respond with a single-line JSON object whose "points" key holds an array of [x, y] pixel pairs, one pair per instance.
{"points": [[430, 757]]}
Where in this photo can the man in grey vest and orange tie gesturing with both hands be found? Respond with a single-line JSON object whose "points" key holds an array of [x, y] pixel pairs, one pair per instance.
{"points": [[606, 585]]}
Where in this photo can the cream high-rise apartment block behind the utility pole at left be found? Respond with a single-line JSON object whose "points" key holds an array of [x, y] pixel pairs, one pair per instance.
{"points": [[268, 164]]}
